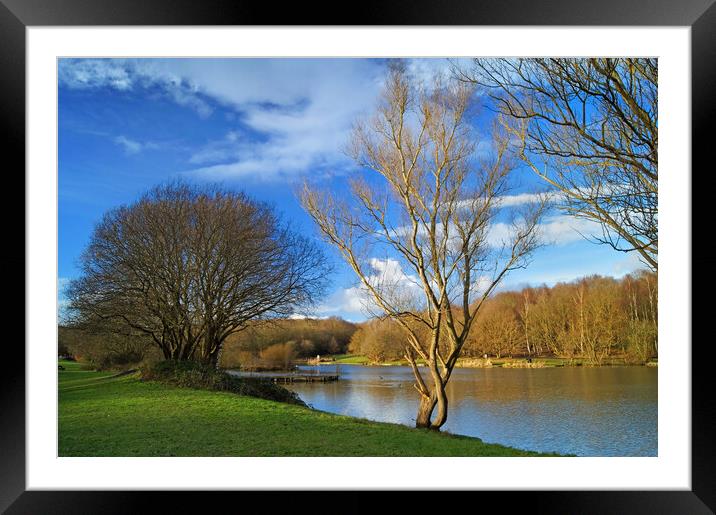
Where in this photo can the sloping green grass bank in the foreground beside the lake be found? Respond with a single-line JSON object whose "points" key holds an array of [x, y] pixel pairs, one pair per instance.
{"points": [[105, 415]]}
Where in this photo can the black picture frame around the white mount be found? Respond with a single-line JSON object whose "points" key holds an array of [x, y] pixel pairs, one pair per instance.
{"points": [[17, 15]]}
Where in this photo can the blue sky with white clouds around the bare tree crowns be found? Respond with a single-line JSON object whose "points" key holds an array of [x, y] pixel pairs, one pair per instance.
{"points": [[260, 125]]}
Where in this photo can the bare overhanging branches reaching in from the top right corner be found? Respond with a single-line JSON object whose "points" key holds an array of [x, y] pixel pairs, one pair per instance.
{"points": [[589, 127]]}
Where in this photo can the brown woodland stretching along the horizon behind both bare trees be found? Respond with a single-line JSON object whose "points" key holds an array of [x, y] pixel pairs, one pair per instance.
{"points": [[594, 319]]}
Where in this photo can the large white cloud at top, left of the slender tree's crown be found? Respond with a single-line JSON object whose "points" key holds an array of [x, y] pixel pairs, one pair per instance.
{"points": [[305, 120]]}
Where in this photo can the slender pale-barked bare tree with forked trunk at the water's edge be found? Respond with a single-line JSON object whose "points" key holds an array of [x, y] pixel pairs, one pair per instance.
{"points": [[428, 206]]}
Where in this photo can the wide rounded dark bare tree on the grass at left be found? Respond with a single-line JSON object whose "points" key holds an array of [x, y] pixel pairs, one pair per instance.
{"points": [[188, 266]]}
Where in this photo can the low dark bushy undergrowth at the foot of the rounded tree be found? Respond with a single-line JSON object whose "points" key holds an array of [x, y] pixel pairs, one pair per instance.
{"points": [[190, 374]]}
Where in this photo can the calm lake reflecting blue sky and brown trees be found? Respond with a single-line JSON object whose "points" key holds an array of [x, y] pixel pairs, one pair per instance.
{"points": [[601, 411]]}
